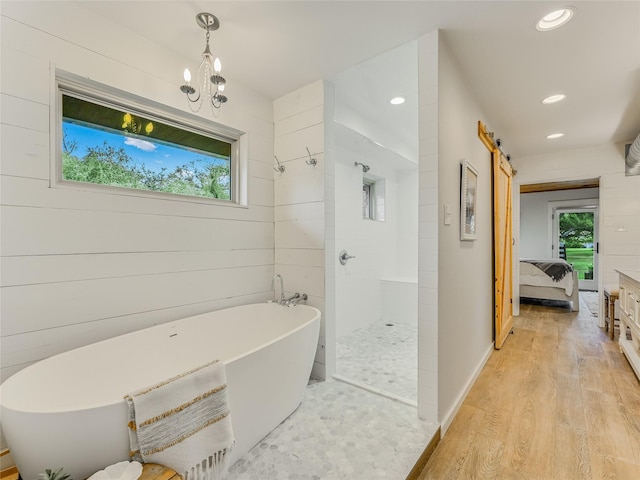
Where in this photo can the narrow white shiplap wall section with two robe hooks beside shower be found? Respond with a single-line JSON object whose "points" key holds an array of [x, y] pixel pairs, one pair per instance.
{"points": [[299, 198]]}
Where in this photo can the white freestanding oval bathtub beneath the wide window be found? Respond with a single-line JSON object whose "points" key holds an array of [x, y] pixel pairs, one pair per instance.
{"points": [[69, 410]]}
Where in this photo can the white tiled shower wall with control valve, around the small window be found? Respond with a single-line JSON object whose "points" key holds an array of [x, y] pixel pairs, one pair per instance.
{"points": [[374, 243]]}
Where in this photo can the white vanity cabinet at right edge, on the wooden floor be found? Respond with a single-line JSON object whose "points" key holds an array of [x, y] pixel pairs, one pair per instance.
{"points": [[630, 317]]}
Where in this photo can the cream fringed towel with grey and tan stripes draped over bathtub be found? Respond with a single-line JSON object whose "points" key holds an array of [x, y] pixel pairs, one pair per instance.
{"points": [[184, 423]]}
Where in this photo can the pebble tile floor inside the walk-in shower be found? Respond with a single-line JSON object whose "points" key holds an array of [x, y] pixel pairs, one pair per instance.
{"points": [[382, 356]]}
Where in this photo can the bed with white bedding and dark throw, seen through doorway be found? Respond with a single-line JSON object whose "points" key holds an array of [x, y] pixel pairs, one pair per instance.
{"points": [[549, 280]]}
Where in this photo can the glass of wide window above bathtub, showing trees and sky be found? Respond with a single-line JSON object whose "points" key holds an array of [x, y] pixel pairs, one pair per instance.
{"points": [[109, 144]]}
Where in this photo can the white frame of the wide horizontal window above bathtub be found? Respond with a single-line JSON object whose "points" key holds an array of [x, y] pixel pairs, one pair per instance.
{"points": [[94, 92]]}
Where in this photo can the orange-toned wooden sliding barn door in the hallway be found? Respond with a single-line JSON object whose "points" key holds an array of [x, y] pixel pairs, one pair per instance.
{"points": [[502, 175]]}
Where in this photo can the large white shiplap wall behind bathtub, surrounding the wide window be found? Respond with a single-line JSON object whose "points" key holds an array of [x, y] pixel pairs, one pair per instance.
{"points": [[82, 265]]}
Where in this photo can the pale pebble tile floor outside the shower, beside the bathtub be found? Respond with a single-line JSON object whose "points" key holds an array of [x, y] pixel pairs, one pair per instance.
{"points": [[339, 432]]}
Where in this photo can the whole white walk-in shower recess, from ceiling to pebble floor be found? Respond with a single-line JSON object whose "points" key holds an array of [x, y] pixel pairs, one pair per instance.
{"points": [[376, 222]]}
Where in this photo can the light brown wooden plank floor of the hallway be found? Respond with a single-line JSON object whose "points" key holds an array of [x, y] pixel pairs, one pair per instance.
{"points": [[559, 401]]}
